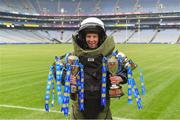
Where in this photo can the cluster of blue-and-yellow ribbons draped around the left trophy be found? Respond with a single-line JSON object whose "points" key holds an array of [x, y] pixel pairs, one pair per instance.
{"points": [[70, 67]]}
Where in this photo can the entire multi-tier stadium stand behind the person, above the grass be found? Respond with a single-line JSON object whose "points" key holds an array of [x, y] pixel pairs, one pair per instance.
{"points": [[54, 21]]}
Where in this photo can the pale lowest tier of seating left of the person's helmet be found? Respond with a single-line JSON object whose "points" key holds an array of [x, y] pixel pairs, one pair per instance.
{"points": [[34, 36]]}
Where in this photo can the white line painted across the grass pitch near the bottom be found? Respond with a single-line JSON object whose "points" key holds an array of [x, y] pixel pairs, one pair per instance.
{"points": [[42, 110]]}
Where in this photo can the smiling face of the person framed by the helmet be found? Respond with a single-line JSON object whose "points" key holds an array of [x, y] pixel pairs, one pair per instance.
{"points": [[92, 40]]}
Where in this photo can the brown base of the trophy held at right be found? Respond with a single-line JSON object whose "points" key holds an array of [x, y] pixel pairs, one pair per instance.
{"points": [[116, 93]]}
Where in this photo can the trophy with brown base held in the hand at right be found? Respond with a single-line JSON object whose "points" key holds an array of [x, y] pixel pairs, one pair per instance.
{"points": [[115, 90]]}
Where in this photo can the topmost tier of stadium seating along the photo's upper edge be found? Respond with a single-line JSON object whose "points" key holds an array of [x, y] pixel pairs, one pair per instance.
{"points": [[88, 6]]}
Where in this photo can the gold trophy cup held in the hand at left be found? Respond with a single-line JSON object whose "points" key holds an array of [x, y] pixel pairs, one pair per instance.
{"points": [[73, 61]]}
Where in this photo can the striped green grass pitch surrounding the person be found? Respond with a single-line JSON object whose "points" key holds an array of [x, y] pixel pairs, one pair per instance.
{"points": [[24, 69]]}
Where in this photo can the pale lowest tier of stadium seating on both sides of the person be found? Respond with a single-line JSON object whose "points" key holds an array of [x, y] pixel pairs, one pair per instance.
{"points": [[121, 36]]}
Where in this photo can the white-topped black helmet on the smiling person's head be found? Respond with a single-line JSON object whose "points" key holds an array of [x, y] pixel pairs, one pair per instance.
{"points": [[91, 25]]}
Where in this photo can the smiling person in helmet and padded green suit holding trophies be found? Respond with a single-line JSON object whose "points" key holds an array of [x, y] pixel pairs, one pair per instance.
{"points": [[90, 44]]}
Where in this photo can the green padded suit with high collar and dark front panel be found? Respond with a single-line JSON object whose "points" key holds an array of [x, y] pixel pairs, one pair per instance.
{"points": [[92, 61]]}
